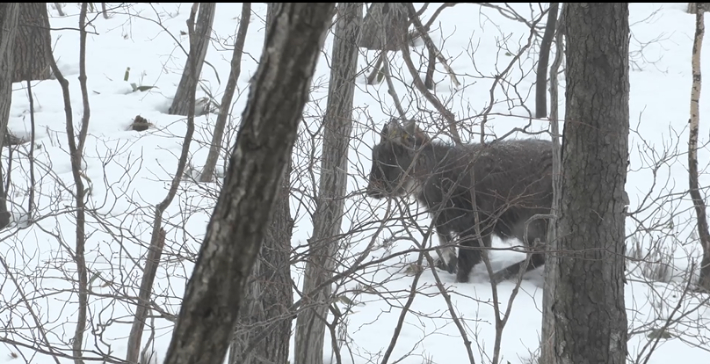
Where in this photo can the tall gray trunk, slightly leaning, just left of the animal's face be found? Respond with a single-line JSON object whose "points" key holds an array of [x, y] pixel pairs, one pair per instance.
{"points": [[310, 324]]}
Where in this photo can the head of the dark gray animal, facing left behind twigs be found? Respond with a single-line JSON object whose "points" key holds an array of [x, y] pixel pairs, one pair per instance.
{"points": [[392, 159]]}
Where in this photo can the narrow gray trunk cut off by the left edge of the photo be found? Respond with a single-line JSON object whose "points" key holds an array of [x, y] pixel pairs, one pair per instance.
{"points": [[8, 28]]}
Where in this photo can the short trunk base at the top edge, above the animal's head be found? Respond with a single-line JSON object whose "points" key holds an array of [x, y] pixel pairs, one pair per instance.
{"points": [[385, 27]]}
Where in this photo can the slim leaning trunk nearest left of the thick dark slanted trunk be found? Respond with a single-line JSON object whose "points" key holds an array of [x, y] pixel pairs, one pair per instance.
{"points": [[225, 105]]}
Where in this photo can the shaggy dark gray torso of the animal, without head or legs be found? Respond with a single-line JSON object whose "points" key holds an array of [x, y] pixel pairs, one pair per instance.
{"points": [[513, 182]]}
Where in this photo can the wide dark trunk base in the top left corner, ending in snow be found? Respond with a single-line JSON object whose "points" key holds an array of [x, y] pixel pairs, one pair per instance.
{"points": [[33, 43]]}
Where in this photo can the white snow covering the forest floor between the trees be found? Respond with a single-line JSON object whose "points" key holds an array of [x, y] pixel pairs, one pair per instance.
{"points": [[129, 173]]}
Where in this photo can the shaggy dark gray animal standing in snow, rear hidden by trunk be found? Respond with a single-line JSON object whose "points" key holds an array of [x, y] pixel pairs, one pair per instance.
{"points": [[511, 181]]}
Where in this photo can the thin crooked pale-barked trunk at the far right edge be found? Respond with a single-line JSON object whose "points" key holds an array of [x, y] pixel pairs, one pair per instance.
{"points": [[700, 208]]}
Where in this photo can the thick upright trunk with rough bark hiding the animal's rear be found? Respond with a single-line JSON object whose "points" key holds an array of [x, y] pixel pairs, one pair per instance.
{"points": [[588, 314]]}
